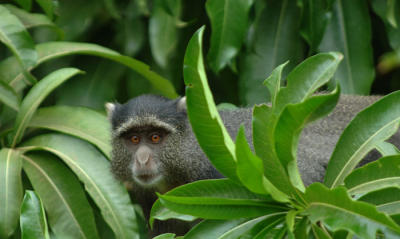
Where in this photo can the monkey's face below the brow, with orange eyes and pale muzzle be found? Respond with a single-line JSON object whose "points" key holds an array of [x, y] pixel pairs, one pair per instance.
{"points": [[145, 147]]}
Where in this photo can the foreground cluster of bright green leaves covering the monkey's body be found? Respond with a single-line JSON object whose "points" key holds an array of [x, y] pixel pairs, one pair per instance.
{"points": [[251, 203]]}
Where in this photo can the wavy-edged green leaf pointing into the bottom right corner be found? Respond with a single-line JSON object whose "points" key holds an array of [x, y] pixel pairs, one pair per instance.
{"points": [[335, 209]]}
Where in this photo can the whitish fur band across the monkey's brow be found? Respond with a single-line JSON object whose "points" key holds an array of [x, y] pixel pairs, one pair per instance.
{"points": [[138, 122]]}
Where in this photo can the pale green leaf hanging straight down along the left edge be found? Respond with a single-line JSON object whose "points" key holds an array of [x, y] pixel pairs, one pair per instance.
{"points": [[10, 191]]}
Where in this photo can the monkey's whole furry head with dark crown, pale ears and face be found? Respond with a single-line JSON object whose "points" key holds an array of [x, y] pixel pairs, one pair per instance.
{"points": [[146, 132]]}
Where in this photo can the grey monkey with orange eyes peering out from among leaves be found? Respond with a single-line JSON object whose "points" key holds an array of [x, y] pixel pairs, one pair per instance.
{"points": [[155, 150]]}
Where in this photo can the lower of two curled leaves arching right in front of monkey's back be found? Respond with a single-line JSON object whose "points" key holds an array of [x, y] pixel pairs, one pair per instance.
{"points": [[290, 124]]}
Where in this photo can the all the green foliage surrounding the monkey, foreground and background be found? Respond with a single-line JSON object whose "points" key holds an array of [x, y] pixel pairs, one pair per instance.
{"points": [[54, 168]]}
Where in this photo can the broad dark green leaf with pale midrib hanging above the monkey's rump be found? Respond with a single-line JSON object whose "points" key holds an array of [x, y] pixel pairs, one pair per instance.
{"points": [[351, 22]]}
